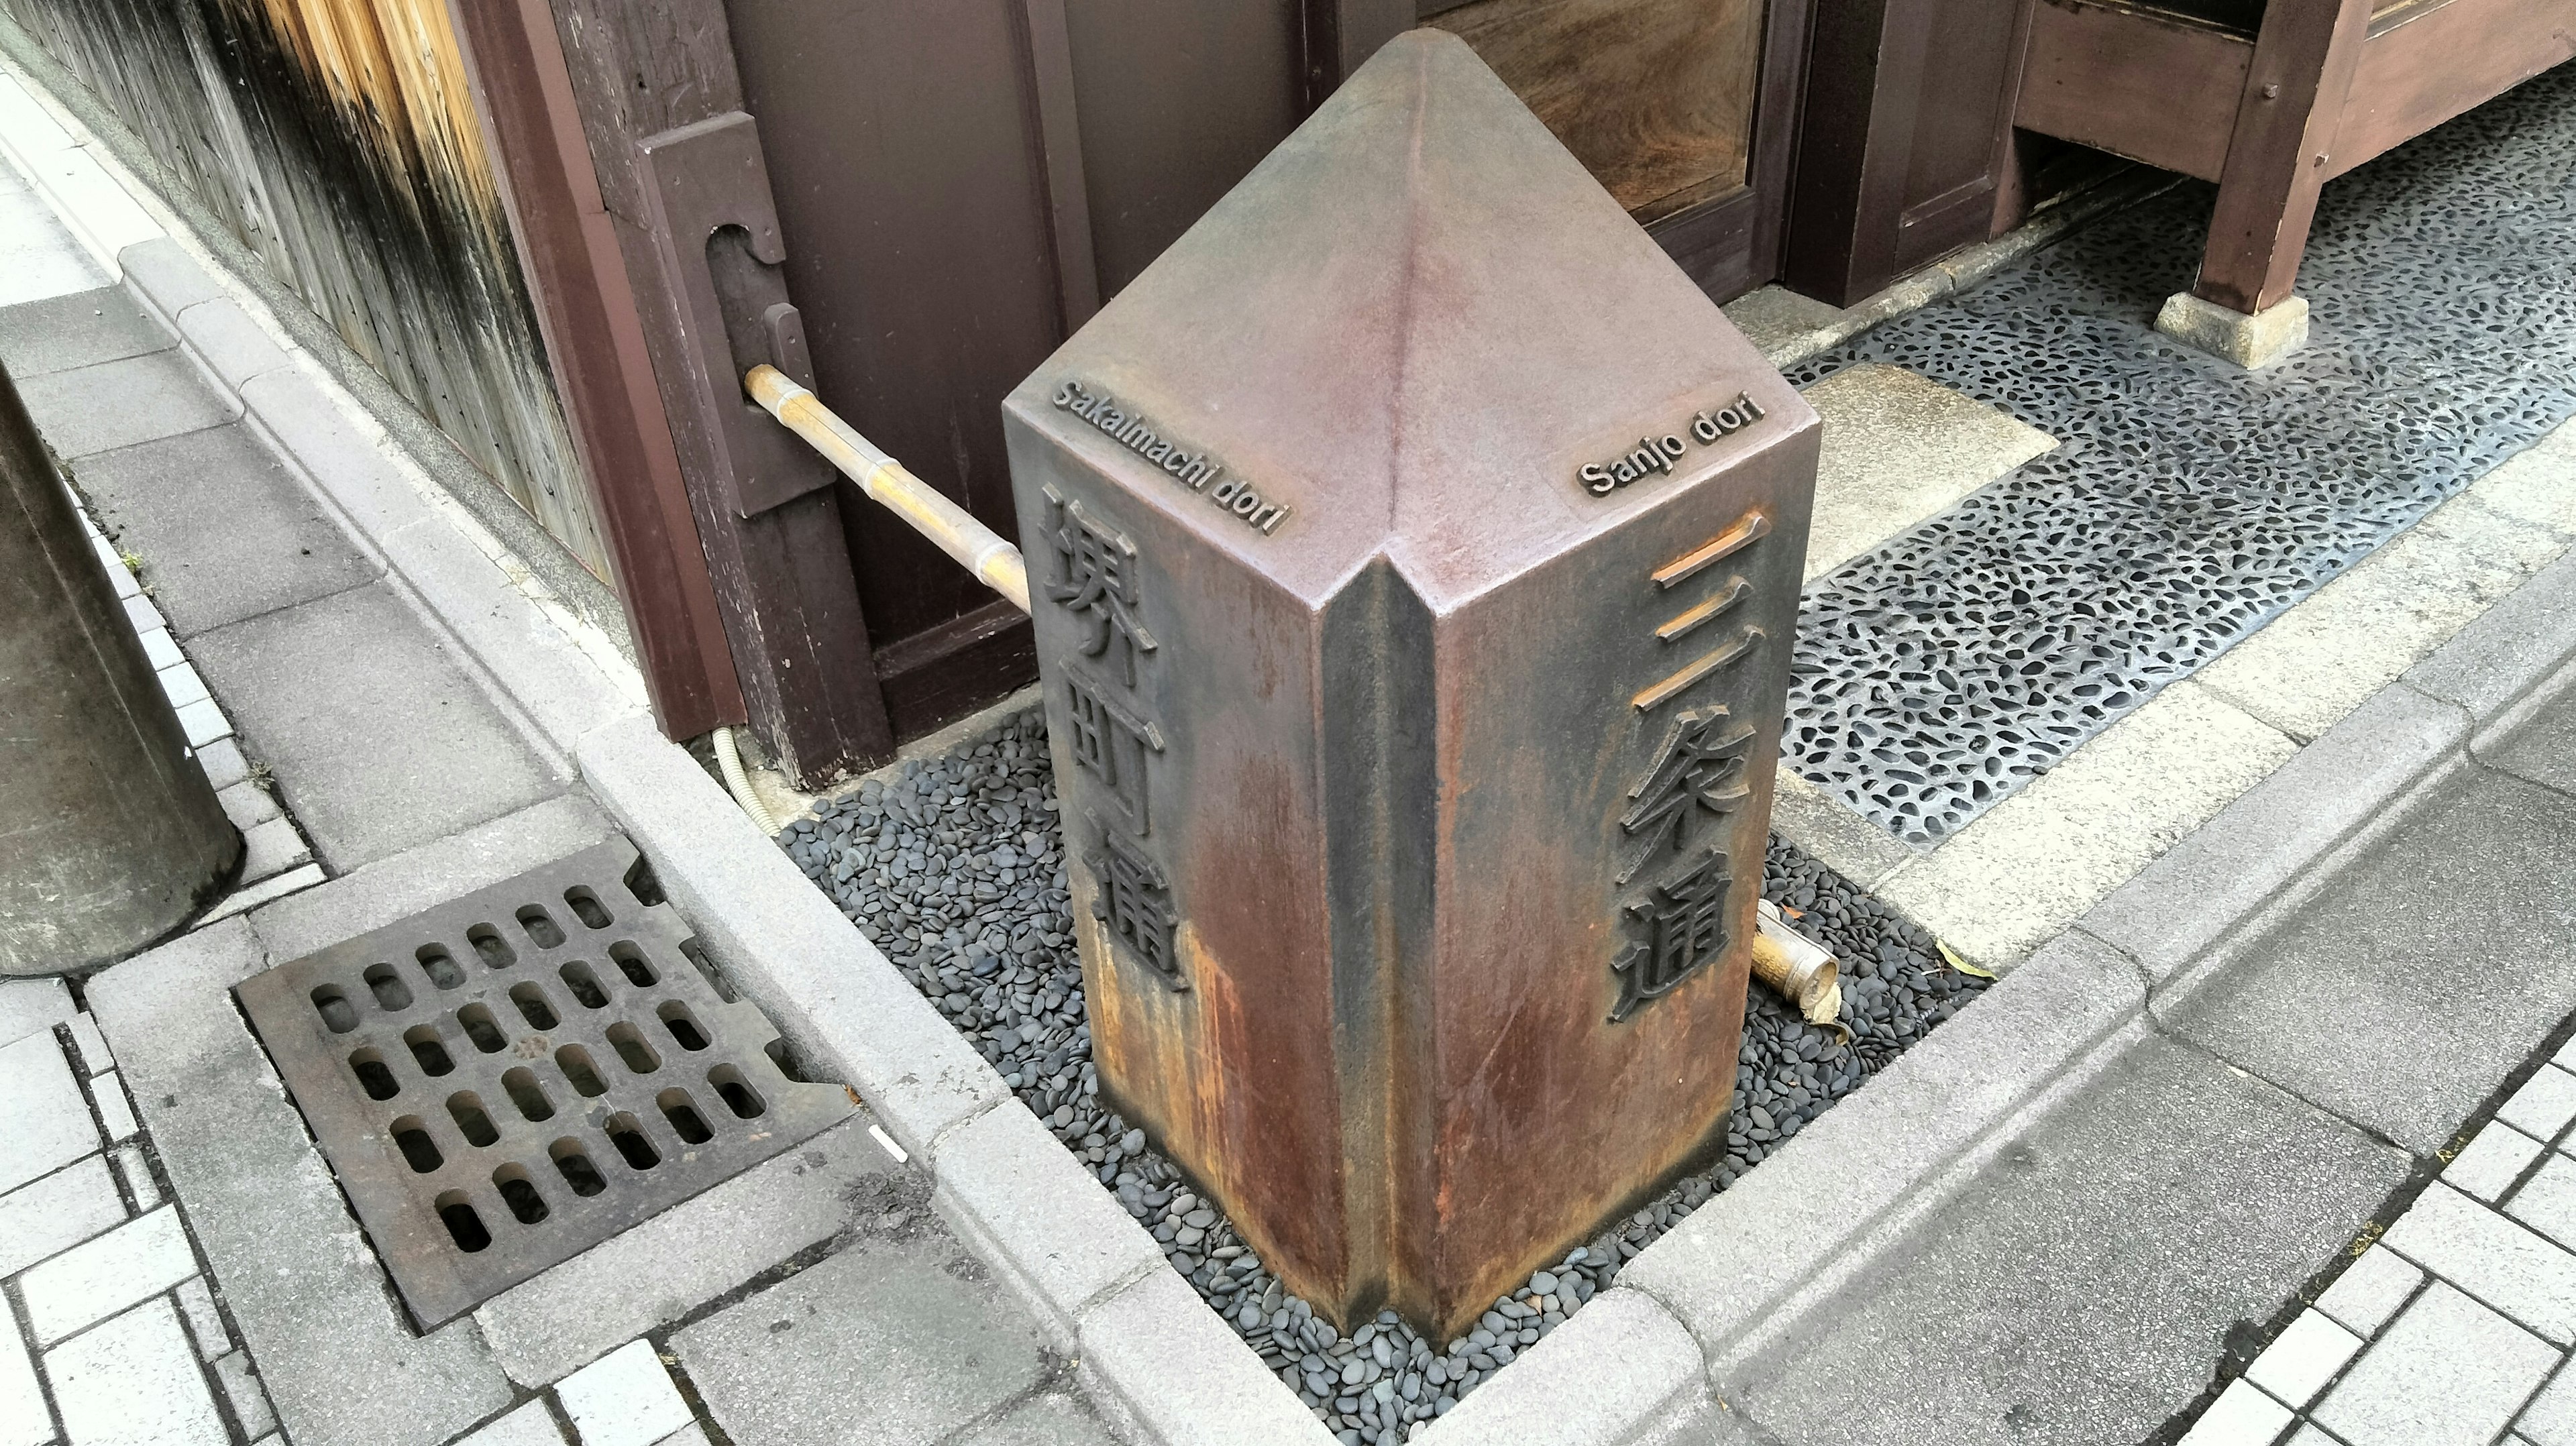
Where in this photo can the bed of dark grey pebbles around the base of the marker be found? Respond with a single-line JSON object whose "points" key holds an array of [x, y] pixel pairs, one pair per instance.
{"points": [[957, 872]]}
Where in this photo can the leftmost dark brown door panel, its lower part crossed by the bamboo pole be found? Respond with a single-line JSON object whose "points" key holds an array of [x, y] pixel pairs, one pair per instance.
{"points": [[918, 236]]}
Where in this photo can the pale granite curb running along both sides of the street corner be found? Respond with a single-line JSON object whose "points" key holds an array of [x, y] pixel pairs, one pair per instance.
{"points": [[1647, 1357]]}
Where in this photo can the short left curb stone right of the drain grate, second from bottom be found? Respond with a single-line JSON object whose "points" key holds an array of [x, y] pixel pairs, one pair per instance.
{"points": [[1029, 1208]]}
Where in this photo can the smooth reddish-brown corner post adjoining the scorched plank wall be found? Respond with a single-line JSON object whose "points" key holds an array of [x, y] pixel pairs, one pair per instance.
{"points": [[596, 352]]}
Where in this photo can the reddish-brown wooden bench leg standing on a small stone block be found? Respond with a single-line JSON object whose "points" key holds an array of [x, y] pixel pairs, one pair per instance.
{"points": [[2281, 151]]}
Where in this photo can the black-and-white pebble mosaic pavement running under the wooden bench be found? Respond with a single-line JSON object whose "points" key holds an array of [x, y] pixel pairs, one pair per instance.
{"points": [[2191, 501]]}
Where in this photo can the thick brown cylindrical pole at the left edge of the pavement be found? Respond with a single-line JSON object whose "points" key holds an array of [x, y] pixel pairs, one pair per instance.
{"points": [[109, 834]]}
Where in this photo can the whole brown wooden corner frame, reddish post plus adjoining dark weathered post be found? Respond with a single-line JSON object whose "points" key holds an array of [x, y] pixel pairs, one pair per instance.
{"points": [[738, 617]]}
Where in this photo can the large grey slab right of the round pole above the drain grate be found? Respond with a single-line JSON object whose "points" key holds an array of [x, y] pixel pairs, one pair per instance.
{"points": [[377, 736]]}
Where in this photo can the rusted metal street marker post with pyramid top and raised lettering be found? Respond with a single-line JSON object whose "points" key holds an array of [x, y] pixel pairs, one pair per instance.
{"points": [[1416, 555]]}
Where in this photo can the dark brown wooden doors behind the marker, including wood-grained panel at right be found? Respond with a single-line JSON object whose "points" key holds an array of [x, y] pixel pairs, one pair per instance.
{"points": [[962, 187]]}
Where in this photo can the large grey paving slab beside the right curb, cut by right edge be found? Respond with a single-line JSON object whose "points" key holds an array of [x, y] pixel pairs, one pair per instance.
{"points": [[2410, 983]]}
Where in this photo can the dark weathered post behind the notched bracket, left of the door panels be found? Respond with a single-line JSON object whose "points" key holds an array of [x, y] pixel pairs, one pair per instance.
{"points": [[782, 579]]}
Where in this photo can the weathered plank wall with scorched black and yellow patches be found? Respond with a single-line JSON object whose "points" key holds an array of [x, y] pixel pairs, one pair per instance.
{"points": [[341, 143]]}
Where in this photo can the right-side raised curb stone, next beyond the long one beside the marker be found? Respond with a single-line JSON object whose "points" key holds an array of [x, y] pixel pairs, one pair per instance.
{"points": [[2188, 901]]}
